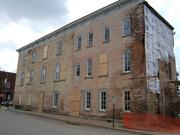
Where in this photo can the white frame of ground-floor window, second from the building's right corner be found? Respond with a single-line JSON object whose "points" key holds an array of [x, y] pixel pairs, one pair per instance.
{"points": [[100, 101]]}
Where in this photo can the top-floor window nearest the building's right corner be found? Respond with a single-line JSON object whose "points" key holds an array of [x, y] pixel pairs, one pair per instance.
{"points": [[126, 27]]}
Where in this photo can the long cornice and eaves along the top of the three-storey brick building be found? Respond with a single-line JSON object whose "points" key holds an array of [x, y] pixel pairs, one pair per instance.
{"points": [[118, 3]]}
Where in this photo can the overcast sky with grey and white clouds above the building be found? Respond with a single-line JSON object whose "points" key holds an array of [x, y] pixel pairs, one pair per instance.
{"points": [[23, 21]]}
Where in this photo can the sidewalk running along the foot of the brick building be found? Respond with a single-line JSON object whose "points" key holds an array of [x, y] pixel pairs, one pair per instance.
{"points": [[87, 121]]}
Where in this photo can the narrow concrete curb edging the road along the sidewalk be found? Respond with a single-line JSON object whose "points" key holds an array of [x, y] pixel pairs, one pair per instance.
{"points": [[50, 116]]}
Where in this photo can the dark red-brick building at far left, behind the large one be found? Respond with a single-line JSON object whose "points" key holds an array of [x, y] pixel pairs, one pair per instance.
{"points": [[7, 86]]}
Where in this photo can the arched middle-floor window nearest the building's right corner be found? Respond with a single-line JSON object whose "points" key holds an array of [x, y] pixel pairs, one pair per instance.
{"points": [[127, 61]]}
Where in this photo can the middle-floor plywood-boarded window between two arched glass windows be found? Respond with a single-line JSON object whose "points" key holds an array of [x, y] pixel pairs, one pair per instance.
{"points": [[103, 64]]}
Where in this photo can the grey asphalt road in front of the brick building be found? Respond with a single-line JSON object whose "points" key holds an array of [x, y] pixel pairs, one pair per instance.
{"points": [[14, 123]]}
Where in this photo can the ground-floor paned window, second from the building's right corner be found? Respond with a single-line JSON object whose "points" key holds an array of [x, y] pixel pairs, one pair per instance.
{"points": [[103, 99]]}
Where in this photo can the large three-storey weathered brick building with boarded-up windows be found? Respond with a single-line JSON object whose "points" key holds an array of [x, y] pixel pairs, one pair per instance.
{"points": [[123, 51]]}
